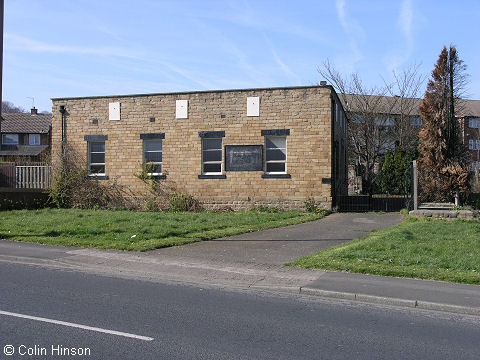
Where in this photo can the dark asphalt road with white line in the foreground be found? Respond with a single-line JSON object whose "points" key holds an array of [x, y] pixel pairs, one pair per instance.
{"points": [[174, 321]]}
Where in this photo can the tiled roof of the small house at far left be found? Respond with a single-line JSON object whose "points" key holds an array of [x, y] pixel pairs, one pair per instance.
{"points": [[21, 123]]}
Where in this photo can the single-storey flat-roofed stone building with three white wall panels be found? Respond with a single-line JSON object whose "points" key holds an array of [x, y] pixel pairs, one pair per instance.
{"points": [[241, 148]]}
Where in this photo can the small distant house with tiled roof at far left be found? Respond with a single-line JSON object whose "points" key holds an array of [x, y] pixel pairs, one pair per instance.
{"points": [[26, 138]]}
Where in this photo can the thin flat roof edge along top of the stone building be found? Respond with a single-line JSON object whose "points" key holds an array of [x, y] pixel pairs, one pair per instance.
{"points": [[196, 92]]}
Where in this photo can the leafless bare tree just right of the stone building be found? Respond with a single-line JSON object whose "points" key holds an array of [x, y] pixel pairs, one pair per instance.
{"points": [[377, 121]]}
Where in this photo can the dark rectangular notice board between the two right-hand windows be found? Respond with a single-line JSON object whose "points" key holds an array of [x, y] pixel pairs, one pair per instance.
{"points": [[243, 157]]}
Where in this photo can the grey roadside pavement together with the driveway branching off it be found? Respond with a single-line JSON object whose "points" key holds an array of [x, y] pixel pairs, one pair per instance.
{"points": [[256, 261]]}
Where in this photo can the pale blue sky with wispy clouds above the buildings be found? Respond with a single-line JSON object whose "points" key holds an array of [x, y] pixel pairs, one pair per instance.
{"points": [[104, 47]]}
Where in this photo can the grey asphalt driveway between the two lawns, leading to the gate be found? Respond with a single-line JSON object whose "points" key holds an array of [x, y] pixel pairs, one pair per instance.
{"points": [[282, 245]]}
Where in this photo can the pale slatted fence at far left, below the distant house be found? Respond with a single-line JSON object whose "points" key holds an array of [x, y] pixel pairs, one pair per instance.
{"points": [[25, 177]]}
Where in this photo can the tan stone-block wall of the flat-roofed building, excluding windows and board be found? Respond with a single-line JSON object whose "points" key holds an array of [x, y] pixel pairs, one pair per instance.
{"points": [[306, 112]]}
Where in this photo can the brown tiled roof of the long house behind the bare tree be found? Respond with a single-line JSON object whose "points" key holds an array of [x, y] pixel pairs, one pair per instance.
{"points": [[392, 104]]}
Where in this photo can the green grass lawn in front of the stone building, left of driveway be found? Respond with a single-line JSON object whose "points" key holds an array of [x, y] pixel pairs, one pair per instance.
{"points": [[129, 230]]}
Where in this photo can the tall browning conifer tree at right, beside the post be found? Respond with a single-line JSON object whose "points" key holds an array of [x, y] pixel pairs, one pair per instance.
{"points": [[443, 159]]}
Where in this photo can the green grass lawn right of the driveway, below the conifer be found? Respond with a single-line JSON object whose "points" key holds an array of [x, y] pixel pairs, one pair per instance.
{"points": [[417, 248]]}
